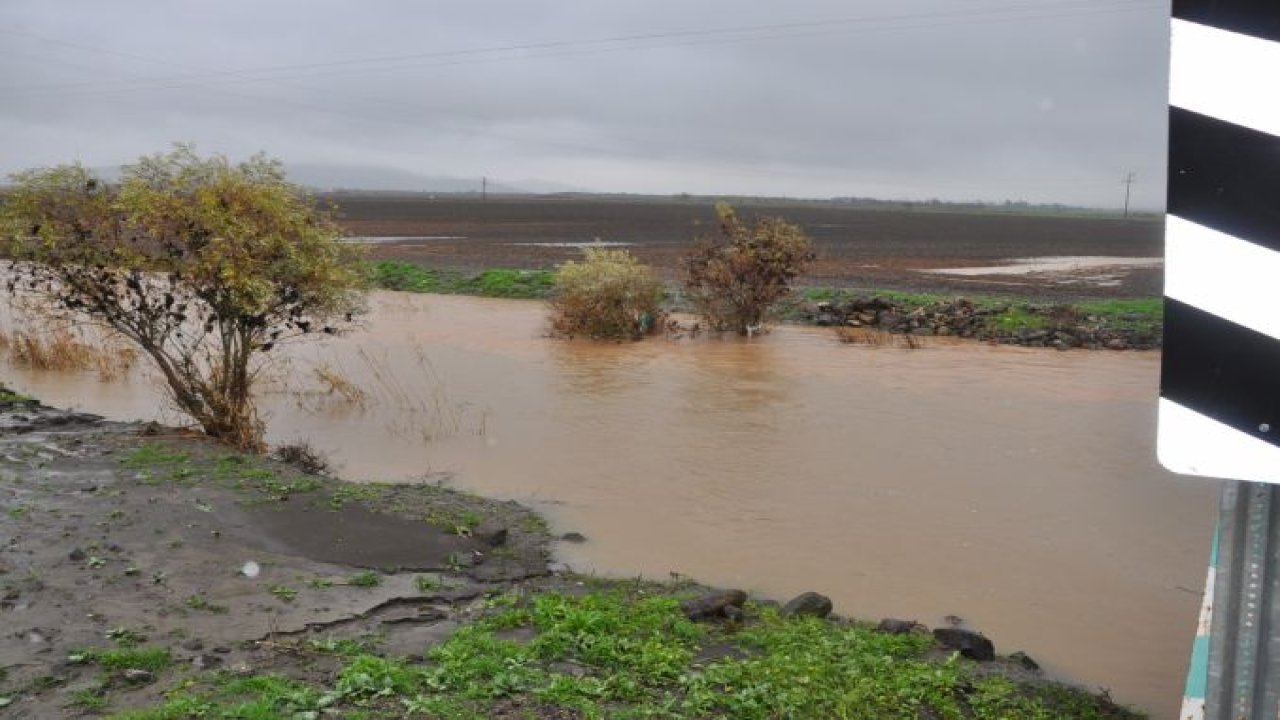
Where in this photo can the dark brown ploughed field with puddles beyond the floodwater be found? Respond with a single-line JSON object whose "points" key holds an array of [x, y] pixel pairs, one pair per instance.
{"points": [[857, 247]]}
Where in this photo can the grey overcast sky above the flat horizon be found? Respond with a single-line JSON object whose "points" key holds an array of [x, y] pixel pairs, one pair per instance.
{"points": [[1039, 101]]}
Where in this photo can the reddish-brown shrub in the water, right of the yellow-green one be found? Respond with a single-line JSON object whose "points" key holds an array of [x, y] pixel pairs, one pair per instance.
{"points": [[735, 276]]}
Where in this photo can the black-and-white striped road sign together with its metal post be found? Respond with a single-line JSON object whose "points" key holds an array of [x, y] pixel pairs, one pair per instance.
{"points": [[1220, 371]]}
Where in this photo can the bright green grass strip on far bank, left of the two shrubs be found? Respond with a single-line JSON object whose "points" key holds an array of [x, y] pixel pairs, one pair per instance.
{"points": [[396, 275]]}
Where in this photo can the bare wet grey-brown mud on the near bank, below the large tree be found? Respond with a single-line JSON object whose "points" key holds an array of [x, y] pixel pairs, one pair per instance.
{"points": [[115, 535]]}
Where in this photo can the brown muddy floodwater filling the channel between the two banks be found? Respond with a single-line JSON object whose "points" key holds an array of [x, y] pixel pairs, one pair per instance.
{"points": [[1016, 489]]}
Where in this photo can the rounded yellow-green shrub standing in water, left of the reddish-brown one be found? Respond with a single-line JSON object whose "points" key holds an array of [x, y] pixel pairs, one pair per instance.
{"points": [[610, 295]]}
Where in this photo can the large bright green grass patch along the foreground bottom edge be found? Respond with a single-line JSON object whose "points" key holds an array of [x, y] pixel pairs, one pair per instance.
{"points": [[620, 654]]}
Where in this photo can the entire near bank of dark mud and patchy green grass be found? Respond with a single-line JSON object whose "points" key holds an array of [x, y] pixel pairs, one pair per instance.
{"points": [[144, 567]]}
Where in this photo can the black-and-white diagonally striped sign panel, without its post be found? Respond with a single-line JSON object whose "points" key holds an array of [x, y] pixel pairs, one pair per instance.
{"points": [[1220, 377]]}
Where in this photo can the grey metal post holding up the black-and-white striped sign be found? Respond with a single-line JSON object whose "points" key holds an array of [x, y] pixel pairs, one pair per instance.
{"points": [[1245, 645]]}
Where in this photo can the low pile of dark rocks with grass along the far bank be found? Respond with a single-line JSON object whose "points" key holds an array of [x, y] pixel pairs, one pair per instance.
{"points": [[1055, 326]]}
